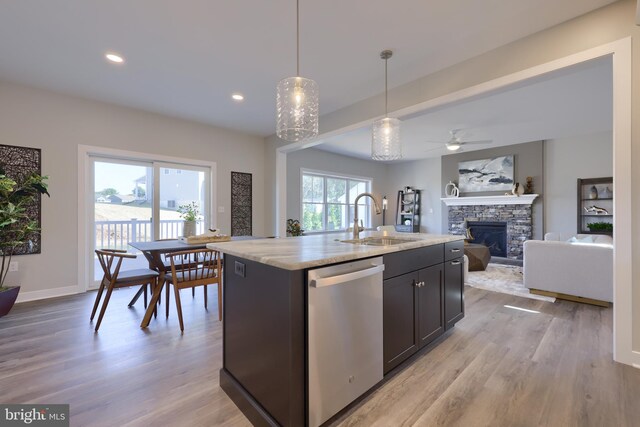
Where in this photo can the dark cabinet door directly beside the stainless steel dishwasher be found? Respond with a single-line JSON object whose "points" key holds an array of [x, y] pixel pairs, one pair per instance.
{"points": [[400, 331]]}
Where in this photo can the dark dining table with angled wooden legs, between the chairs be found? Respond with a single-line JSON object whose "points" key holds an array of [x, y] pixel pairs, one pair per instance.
{"points": [[153, 252]]}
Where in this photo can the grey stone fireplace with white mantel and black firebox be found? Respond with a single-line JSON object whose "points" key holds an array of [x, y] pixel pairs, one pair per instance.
{"points": [[509, 215]]}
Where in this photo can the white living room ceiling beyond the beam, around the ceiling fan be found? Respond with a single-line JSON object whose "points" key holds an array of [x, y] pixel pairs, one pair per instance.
{"points": [[573, 102]]}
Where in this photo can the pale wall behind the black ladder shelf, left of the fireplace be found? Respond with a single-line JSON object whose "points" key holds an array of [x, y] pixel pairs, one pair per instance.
{"points": [[423, 175]]}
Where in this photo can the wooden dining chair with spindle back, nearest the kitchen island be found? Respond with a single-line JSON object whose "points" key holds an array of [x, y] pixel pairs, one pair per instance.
{"points": [[199, 267]]}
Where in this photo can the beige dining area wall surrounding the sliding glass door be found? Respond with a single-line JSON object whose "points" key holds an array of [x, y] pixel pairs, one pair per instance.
{"points": [[58, 124]]}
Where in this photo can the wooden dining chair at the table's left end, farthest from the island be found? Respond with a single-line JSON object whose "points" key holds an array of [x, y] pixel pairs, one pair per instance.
{"points": [[111, 261]]}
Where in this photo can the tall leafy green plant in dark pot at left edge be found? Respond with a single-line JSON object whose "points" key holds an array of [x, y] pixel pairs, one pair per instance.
{"points": [[17, 228]]}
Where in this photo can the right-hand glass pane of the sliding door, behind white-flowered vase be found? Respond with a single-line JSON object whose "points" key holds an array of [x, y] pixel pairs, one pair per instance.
{"points": [[181, 187]]}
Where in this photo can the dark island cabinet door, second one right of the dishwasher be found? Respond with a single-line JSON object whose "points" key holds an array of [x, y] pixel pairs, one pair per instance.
{"points": [[430, 300]]}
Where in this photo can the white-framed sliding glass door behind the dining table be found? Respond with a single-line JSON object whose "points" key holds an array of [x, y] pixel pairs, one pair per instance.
{"points": [[136, 201]]}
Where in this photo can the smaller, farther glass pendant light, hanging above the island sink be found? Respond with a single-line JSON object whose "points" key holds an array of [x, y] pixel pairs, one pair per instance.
{"points": [[385, 138]]}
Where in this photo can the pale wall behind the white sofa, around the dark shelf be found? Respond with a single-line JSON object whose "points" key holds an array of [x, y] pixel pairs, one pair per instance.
{"points": [[566, 160]]}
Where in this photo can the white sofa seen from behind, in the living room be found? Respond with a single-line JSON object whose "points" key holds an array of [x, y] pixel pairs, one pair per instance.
{"points": [[581, 268]]}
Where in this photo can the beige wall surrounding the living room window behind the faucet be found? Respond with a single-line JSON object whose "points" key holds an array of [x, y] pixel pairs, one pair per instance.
{"points": [[324, 161]]}
